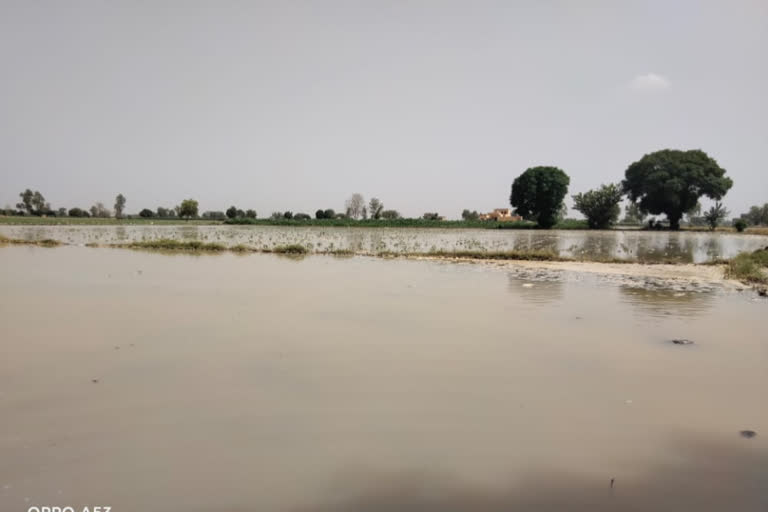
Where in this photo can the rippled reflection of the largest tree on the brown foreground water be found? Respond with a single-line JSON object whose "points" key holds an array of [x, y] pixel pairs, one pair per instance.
{"points": [[661, 302]]}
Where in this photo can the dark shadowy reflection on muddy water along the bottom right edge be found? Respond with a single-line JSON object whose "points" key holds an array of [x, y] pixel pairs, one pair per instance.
{"points": [[699, 475]]}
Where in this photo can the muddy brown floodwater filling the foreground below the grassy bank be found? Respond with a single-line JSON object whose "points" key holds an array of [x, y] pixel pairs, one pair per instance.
{"points": [[230, 383]]}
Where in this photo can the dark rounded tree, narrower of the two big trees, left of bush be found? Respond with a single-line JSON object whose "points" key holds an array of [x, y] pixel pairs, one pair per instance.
{"points": [[538, 194]]}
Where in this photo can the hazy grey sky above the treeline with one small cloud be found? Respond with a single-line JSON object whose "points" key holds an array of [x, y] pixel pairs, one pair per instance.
{"points": [[430, 106]]}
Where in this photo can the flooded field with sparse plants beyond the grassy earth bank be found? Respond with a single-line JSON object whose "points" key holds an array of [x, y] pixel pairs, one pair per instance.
{"points": [[685, 247]]}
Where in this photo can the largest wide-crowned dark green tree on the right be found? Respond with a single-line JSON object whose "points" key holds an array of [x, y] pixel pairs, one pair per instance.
{"points": [[671, 182]]}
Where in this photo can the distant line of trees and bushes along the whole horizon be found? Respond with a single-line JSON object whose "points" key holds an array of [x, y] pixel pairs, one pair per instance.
{"points": [[667, 182]]}
